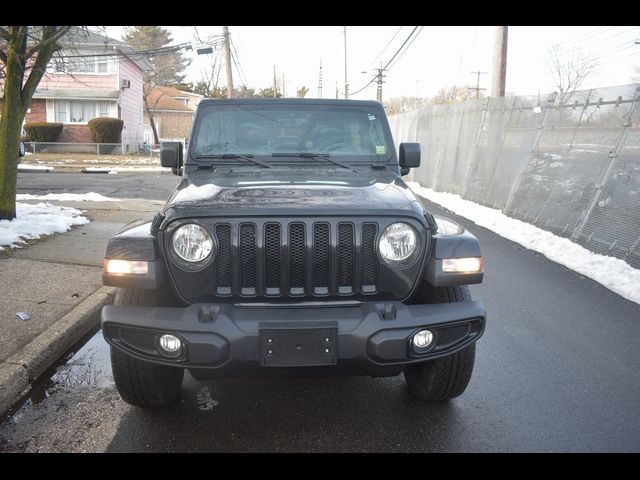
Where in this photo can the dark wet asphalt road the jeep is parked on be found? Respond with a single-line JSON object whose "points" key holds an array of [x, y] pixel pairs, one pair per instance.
{"points": [[558, 369]]}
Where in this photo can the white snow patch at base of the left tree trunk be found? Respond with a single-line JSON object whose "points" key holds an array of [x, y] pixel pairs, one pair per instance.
{"points": [[35, 220]]}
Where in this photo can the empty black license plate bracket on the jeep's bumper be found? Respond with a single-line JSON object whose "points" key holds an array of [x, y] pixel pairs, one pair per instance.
{"points": [[298, 347]]}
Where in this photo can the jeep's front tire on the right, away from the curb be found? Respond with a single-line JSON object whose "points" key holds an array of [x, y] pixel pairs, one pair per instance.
{"points": [[447, 377]]}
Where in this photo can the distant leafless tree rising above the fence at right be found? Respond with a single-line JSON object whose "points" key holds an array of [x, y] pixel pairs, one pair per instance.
{"points": [[569, 70]]}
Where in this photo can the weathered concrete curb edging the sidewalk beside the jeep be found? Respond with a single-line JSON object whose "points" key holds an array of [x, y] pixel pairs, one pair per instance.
{"points": [[22, 368]]}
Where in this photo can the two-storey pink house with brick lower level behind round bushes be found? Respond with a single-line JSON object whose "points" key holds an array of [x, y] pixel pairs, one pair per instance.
{"points": [[96, 76]]}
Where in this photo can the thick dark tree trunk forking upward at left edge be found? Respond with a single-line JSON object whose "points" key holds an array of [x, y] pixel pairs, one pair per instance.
{"points": [[25, 52]]}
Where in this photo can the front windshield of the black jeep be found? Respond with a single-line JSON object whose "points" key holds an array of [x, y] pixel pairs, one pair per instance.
{"points": [[354, 131]]}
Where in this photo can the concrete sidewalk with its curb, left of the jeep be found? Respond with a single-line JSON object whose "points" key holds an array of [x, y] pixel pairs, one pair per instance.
{"points": [[57, 282]]}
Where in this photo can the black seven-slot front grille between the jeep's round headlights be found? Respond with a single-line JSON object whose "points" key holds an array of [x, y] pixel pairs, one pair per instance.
{"points": [[296, 258]]}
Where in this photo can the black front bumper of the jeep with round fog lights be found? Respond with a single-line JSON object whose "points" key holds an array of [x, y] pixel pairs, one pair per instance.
{"points": [[370, 338]]}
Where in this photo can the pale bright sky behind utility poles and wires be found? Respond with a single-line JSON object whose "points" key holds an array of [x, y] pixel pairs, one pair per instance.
{"points": [[437, 57]]}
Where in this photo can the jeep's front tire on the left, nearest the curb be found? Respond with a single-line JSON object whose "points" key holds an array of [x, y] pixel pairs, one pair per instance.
{"points": [[140, 383]]}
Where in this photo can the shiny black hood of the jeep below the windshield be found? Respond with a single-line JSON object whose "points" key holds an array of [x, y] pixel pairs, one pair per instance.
{"points": [[278, 193]]}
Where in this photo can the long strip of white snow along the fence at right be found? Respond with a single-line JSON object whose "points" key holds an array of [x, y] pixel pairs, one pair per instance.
{"points": [[615, 274]]}
